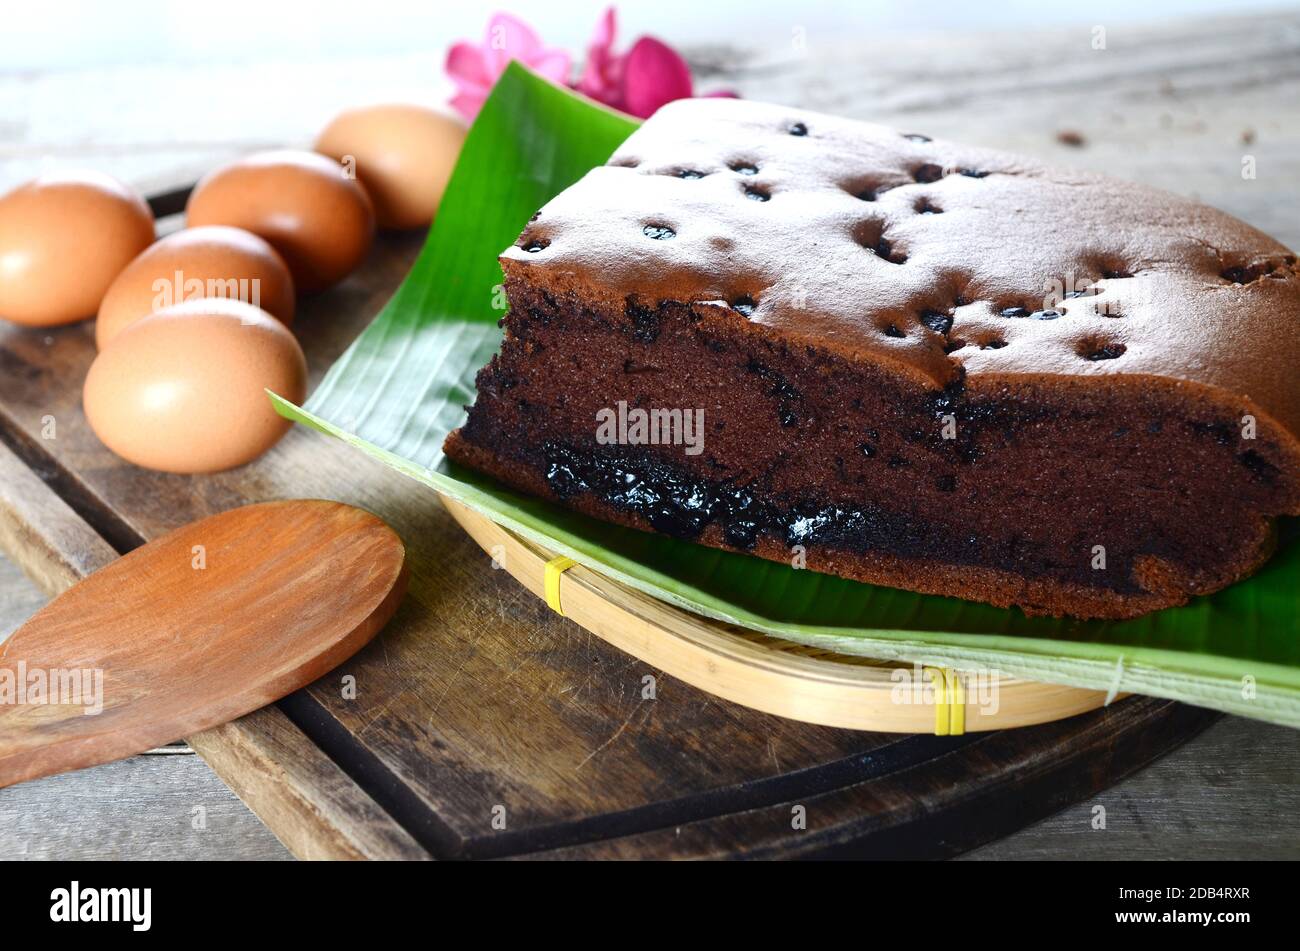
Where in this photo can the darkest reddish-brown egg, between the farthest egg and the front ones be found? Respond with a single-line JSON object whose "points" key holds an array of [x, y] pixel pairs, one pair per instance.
{"points": [[318, 218]]}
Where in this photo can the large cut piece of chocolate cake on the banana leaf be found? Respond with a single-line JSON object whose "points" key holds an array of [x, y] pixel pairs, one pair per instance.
{"points": [[905, 362]]}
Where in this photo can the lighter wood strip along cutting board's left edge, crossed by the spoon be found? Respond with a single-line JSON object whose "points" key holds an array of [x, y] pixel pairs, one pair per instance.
{"points": [[293, 787]]}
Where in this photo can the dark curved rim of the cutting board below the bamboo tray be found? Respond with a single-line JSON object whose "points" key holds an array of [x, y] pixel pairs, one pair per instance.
{"points": [[847, 823]]}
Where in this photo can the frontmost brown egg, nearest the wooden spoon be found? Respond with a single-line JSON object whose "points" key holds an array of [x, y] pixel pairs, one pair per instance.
{"points": [[184, 389]]}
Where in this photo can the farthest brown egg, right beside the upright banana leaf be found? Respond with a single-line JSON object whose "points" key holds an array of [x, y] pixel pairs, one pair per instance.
{"points": [[404, 157]]}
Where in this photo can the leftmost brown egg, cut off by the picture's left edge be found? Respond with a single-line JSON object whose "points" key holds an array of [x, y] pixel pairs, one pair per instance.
{"points": [[64, 237]]}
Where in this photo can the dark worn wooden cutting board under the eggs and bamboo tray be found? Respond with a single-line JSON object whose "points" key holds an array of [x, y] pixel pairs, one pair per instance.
{"points": [[483, 724]]}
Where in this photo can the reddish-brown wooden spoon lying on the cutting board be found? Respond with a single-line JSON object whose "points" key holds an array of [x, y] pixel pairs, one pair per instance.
{"points": [[194, 629]]}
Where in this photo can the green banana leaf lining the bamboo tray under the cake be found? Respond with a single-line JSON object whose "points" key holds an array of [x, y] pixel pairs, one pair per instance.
{"points": [[404, 384]]}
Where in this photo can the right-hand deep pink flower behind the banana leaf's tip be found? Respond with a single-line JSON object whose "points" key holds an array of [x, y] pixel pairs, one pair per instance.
{"points": [[651, 73]]}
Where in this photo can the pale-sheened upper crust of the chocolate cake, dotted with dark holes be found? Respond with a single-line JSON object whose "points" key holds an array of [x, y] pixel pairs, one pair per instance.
{"points": [[943, 262]]}
